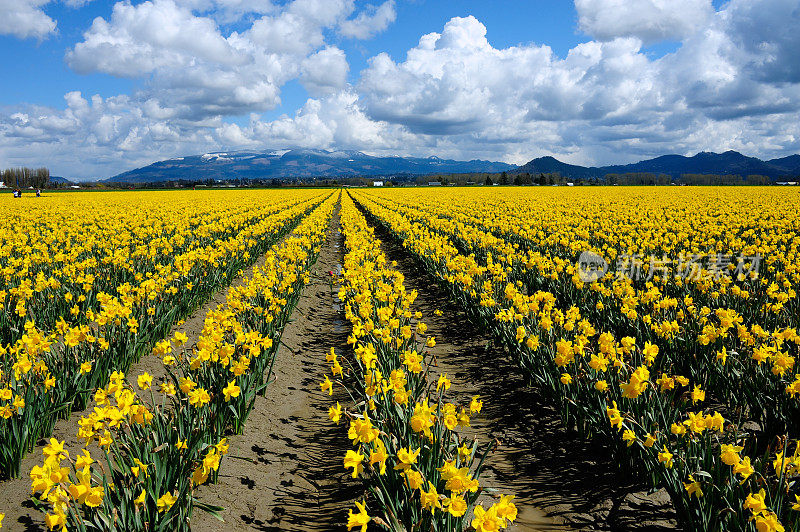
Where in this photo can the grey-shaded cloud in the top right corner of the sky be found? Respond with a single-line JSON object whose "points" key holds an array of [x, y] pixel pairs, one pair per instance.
{"points": [[734, 69]]}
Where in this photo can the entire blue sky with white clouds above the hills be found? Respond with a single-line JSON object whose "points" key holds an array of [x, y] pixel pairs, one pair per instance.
{"points": [[96, 87]]}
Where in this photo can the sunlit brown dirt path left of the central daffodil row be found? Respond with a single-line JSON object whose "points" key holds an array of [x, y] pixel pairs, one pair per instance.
{"points": [[285, 471]]}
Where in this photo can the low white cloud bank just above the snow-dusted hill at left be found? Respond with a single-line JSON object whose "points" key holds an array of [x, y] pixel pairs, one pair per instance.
{"points": [[97, 137]]}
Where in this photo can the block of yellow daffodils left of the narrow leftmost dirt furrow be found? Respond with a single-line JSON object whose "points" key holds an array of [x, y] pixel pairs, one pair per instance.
{"points": [[114, 296]]}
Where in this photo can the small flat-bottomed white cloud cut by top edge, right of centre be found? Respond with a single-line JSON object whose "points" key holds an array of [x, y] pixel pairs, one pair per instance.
{"points": [[648, 20]]}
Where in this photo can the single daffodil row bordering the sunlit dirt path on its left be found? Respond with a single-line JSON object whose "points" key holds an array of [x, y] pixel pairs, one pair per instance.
{"points": [[148, 445]]}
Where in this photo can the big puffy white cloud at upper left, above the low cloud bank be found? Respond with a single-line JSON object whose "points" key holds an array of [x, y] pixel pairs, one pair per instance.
{"points": [[188, 65]]}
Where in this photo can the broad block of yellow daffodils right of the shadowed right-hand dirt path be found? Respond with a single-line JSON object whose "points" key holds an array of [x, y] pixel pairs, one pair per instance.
{"points": [[690, 379]]}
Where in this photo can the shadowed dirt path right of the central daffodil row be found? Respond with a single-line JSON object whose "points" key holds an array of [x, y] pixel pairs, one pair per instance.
{"points": [[559, 481]]}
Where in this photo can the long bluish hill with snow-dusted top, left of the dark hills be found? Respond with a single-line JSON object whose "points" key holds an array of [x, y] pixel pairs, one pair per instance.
{"points": [[281, 164]]}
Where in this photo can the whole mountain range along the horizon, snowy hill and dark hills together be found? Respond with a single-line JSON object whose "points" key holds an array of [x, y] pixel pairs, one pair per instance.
{"points": [[304, 164]]}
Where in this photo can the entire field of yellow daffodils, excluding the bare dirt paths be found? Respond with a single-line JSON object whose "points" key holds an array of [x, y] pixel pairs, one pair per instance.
{"points": [[661, 322]]}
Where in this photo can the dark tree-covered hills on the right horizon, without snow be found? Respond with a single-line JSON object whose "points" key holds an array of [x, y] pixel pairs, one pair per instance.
{"points": [[729, 162]]}
